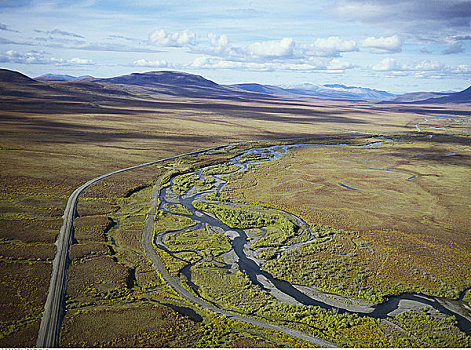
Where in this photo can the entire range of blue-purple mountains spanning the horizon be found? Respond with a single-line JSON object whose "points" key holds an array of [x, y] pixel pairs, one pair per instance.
{"points": [[180, 84]]}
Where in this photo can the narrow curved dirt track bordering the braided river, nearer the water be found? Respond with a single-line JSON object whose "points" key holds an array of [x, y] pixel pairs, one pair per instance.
{"points": [[147, 245]]}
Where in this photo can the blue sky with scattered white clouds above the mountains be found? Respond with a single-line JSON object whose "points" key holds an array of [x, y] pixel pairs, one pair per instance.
{"points": [[394, 45]]}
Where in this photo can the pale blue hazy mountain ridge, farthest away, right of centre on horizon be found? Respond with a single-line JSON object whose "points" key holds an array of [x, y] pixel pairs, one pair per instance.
{"points": [[328, 91]]}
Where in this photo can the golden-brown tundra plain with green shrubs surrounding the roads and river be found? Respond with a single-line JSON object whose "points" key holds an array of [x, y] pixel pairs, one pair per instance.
{"points": [[386, 186]]}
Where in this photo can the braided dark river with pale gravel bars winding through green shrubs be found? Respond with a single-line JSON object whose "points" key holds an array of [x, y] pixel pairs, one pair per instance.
{"points": [[247, 262]]}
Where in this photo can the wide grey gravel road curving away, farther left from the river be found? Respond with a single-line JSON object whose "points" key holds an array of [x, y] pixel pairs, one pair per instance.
{"points": [[49, 329]]}
